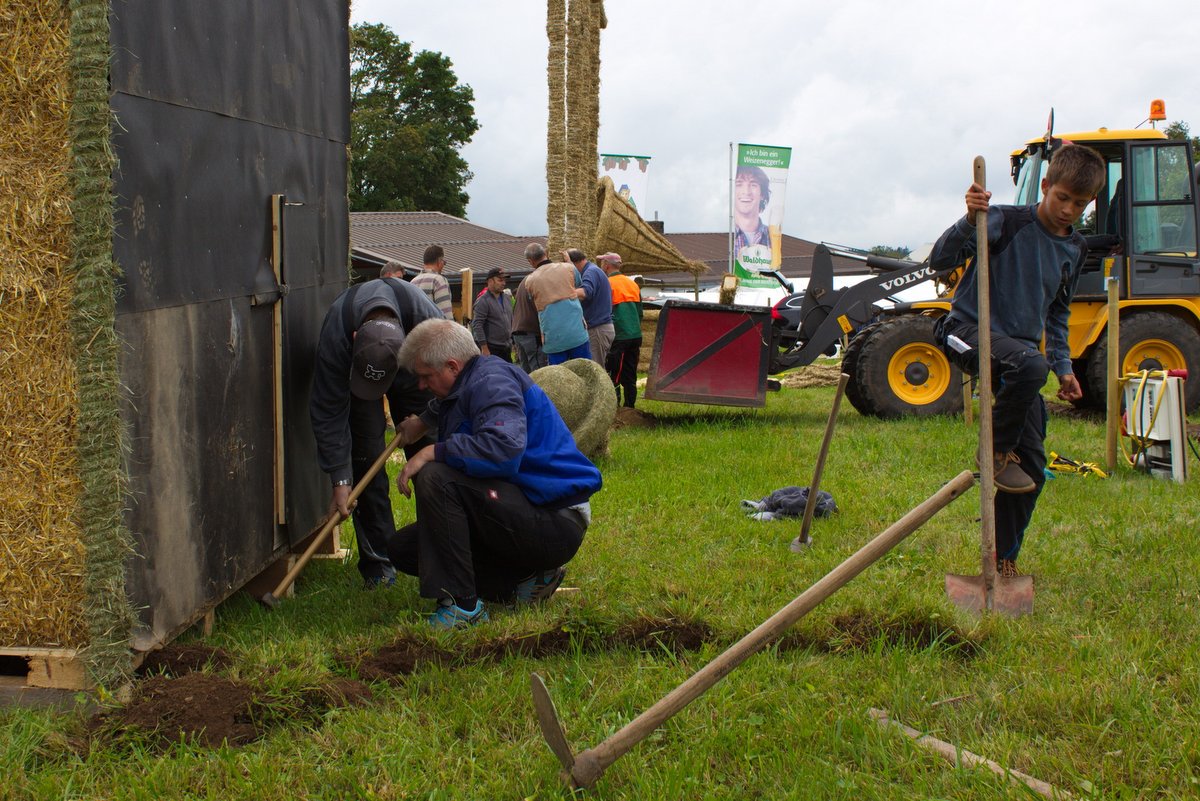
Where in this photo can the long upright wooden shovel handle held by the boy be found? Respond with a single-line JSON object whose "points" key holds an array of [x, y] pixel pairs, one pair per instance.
{"points": [[987, 453]]}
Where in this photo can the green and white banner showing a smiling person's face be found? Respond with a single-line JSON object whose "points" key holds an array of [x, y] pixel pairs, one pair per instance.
{"points": [[757, 213]]}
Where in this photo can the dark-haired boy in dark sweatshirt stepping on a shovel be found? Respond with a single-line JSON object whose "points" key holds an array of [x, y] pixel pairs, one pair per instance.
{"points": [[1035, 263]]}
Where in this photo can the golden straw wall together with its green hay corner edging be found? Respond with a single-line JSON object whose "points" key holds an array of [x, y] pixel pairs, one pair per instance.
{"points": [[62, 562]]}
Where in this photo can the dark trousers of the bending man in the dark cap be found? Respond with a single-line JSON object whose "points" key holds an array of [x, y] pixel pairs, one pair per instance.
{"points": [[374, 522]]}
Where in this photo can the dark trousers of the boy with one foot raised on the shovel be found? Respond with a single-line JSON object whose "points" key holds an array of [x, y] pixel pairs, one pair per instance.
{"points": [[1019, 419]]}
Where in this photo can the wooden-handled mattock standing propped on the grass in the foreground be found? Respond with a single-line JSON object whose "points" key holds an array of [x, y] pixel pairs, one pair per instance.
{"points": [[585, 769]]}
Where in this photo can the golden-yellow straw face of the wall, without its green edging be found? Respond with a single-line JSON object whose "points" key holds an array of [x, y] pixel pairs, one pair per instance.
{"points": [[43, 561]]}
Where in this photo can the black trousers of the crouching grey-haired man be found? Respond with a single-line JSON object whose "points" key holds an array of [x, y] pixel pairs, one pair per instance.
{"points": [[479, 537]]}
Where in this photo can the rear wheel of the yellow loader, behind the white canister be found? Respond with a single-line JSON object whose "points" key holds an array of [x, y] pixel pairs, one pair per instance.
{"points": [[1149, 341]]}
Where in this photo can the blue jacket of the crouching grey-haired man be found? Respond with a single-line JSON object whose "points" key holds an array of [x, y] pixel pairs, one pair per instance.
{"points": [[497, 424]]}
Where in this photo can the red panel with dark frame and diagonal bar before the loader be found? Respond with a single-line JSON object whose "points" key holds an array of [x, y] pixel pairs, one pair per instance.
{"points": [[706, 353]]}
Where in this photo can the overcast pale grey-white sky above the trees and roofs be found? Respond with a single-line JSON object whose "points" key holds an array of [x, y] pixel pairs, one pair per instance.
{"points": [[884, 104]]}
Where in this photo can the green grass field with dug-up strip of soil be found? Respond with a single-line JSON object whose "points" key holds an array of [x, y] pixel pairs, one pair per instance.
{"points": [[1097, 694]]}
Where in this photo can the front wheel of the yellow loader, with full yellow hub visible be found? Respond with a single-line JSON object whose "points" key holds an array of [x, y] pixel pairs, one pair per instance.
{"points": [[902, 372]]}
